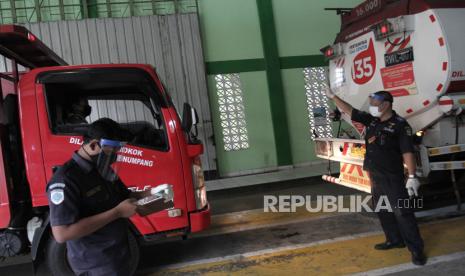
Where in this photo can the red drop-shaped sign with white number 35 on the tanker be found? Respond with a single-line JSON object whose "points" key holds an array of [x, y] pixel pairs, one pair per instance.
{"points": [[364, 65]]}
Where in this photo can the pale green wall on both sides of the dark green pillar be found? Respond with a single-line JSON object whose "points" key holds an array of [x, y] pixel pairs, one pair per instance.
{"points": [[232, 43]]}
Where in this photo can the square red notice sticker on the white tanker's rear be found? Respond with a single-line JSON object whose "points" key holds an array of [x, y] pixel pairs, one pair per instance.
{"points": [[399, 79]]}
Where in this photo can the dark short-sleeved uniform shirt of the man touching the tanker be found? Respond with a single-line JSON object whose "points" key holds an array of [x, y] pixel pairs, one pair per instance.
{"points": [[385, 142]]}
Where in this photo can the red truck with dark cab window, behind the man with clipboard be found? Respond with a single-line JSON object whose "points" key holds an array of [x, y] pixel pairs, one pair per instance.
{"points": [[37, 137]]}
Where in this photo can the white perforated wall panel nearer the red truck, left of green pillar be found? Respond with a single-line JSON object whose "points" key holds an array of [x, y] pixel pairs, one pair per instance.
{"points": [[232, 115]]}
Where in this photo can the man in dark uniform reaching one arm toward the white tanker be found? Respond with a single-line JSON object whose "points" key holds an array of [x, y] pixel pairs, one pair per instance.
{"points": [[389, 144]]}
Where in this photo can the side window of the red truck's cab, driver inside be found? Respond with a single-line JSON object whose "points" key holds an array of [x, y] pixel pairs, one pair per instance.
{"points": [[73, 106]]}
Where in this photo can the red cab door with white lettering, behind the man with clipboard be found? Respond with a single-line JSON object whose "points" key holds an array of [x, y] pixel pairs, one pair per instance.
{"points": [[66, 106]]}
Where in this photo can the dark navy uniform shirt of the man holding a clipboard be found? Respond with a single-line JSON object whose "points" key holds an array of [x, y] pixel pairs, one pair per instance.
{"points": [[77, 191]]}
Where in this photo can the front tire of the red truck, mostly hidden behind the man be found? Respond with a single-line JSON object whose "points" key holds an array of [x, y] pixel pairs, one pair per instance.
{"points": [[57, 261]]}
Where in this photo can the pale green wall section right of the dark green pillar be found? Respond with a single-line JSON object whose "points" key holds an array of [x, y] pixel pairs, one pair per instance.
{"points": [[312, 29]]}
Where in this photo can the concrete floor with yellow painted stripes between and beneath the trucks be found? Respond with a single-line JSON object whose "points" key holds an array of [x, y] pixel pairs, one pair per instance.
{"points": [[244, 240]]}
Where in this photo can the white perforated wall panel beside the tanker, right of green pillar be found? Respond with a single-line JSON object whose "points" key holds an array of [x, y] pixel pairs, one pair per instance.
{"points": [[317, 102]]}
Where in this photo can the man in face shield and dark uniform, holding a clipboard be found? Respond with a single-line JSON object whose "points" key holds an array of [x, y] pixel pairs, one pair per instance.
{"points": [[89, 205]]}
